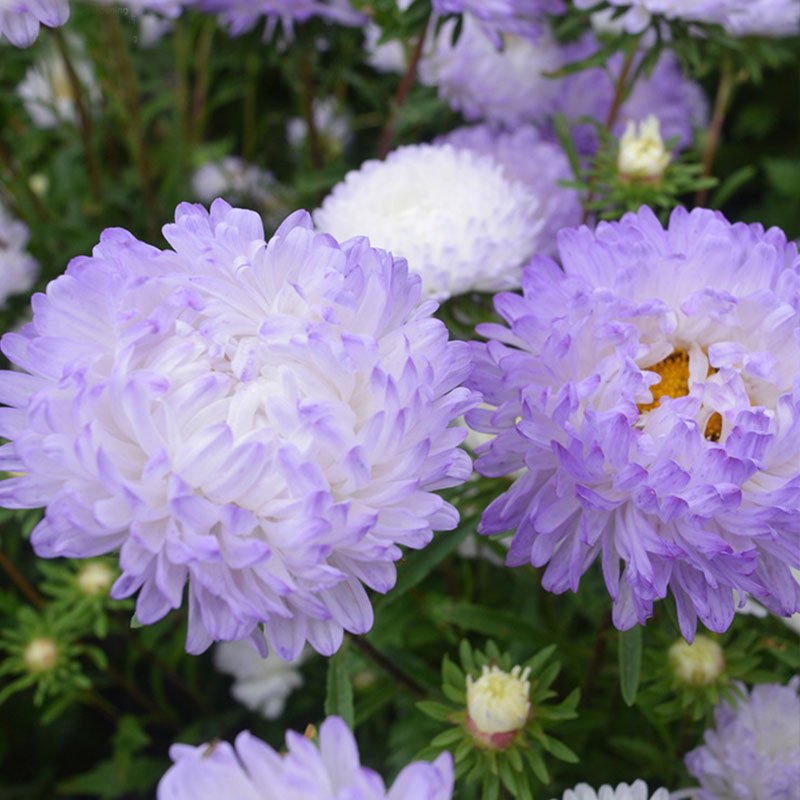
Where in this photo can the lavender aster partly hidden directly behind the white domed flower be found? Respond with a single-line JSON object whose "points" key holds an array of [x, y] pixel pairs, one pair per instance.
{"points": [[535, 161]]}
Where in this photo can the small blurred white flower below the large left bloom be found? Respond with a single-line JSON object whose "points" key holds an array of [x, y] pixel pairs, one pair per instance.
{"points": [[259, 684]]}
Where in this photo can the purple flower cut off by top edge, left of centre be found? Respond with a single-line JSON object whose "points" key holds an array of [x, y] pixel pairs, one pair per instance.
{"points": [[243, 15]]}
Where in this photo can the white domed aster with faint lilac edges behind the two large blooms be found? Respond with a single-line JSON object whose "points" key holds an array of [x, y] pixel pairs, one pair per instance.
{"points": [[460, 222]]}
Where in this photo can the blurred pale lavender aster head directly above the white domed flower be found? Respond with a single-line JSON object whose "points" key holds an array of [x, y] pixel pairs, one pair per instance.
{"points": [[506, 87]]}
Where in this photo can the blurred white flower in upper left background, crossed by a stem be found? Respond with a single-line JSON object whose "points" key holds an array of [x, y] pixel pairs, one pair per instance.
{"points": [[47, 91]]}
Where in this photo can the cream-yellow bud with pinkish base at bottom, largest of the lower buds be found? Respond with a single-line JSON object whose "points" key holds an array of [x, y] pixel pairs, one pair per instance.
{"points": [[498, 705]]}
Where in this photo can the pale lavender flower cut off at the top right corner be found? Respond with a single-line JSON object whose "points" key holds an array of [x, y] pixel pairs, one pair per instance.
{"points": [[738, 17]]}
